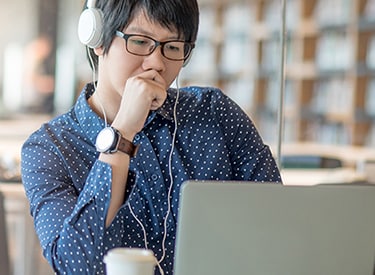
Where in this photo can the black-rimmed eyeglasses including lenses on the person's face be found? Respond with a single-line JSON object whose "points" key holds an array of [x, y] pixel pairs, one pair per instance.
{"points": [[143, 45]]}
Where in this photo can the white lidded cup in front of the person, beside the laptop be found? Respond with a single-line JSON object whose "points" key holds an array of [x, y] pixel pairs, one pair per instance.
{"points": [[130, 261]]}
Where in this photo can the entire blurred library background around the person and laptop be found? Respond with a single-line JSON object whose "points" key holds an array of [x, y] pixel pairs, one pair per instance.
{"points": [[329, 98]]}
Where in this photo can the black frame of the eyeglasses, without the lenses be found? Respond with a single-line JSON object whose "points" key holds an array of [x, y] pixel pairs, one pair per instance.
{"points": [[157, 44]]}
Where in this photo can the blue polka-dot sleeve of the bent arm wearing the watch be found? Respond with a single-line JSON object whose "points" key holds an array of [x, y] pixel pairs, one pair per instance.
{"points": [[70, 223]]}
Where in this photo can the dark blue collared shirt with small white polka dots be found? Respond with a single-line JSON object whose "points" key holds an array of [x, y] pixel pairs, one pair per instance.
{"points": [[69, 188]]}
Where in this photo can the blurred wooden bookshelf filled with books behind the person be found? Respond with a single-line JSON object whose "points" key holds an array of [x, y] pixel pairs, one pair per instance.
{"points": [[330, 65]]}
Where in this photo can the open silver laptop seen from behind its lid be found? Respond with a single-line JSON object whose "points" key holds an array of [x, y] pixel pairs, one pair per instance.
{"points": [[232, 228]]}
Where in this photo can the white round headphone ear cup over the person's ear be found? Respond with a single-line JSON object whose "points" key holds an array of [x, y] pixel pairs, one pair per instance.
{"points": [[90, 26]]}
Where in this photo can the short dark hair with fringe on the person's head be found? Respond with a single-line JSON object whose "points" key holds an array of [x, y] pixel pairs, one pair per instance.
{"points": [[177, 15]]}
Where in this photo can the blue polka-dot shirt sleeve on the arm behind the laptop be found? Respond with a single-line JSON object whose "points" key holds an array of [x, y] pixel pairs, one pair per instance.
{"points": [[251, 158]]}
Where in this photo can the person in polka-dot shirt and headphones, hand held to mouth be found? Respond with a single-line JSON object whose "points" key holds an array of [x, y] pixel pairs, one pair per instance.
{"points": [[108, 173]]}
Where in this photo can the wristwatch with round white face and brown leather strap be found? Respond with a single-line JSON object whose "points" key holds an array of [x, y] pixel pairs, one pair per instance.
{"points": [[109, 141]]}
